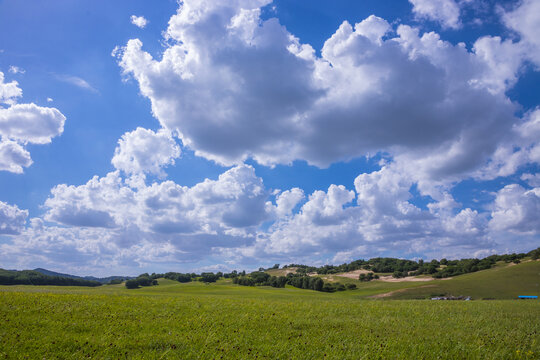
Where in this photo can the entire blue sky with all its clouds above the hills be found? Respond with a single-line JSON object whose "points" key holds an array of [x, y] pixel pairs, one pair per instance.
{"points": [[212, 135]]}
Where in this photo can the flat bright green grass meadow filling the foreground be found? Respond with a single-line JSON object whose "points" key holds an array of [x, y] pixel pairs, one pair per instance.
{"points": [[197, 321]]}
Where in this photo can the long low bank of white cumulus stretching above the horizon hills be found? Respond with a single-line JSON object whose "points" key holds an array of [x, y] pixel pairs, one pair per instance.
{"points": [[108, 221]]}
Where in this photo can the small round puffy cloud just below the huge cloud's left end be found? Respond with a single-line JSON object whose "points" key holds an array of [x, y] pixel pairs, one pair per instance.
{"points": [[145, 151]]}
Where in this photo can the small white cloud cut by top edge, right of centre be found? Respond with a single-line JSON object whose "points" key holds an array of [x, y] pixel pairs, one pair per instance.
{"points": [[446, 12]]}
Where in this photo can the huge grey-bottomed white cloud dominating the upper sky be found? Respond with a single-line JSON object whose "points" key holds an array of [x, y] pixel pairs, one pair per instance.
{"points": [[235, 86]]}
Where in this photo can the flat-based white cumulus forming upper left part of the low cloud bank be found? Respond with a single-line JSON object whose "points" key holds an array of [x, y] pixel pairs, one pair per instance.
{"points": [[231, 205]]}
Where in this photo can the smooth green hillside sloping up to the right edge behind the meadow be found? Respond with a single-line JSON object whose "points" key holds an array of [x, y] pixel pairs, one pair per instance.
{"points": [[501, 282]]}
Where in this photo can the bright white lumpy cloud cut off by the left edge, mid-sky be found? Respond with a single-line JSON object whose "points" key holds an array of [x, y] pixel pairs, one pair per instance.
{"points": [[21, 124]]}
